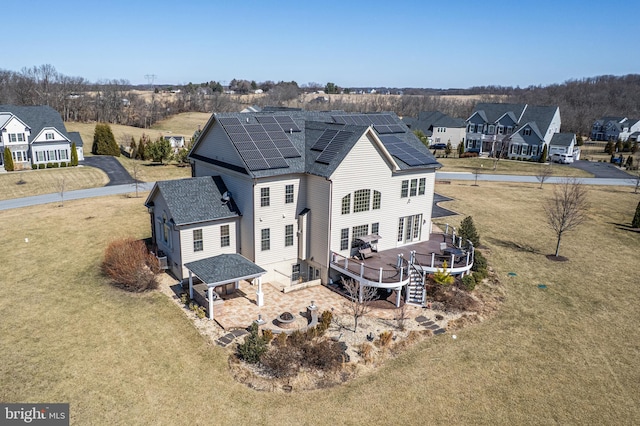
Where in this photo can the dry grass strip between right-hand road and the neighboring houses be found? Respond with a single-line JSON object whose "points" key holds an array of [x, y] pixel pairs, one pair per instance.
{"points": [[505, 167]]}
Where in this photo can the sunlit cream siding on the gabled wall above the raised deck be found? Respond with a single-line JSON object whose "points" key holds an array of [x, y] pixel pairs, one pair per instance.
{"points": [[376, 174]]}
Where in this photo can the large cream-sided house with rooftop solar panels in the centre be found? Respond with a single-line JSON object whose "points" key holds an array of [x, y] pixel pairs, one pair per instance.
{"points": [[304, 188]]}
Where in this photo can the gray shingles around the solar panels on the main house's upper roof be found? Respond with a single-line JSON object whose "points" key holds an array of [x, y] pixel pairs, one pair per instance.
{"points": [[312, 124]]}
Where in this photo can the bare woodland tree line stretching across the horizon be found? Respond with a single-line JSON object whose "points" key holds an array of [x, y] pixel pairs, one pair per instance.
{"points": [[117, 101]]}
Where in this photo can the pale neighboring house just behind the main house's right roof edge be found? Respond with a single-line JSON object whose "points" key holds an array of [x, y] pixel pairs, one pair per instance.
{"points": [[439, 127]]}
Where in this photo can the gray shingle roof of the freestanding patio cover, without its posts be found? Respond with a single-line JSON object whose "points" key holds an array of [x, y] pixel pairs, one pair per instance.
{"points": [[224, 268]]}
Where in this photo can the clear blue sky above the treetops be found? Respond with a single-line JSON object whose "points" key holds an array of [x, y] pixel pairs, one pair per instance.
{"points": [[437, 44]]}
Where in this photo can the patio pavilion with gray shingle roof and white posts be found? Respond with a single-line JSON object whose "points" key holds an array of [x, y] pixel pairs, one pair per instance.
{"points": [[224, 269]]}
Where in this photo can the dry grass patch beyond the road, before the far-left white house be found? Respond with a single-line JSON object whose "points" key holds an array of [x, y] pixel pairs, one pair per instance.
{"points": [[38, 182]]}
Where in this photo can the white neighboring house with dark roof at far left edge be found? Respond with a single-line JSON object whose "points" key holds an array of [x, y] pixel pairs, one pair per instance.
{"points": [[36, 135]]}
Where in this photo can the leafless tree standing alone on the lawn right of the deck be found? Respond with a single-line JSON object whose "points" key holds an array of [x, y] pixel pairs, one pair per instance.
{"points": [[567, 208]]}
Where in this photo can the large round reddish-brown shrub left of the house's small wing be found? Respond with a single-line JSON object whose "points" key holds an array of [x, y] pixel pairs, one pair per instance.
{"points": [[130, 265]]}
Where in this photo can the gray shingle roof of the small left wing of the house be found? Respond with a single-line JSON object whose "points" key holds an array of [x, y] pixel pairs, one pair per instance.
{"points": [[194, 200]]}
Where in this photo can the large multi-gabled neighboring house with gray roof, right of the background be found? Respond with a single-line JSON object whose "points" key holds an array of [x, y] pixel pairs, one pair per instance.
{"points": [[518, 131]]}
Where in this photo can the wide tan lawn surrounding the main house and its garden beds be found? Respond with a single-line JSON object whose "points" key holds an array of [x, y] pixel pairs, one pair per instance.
{"points": [[566, 354]]}
